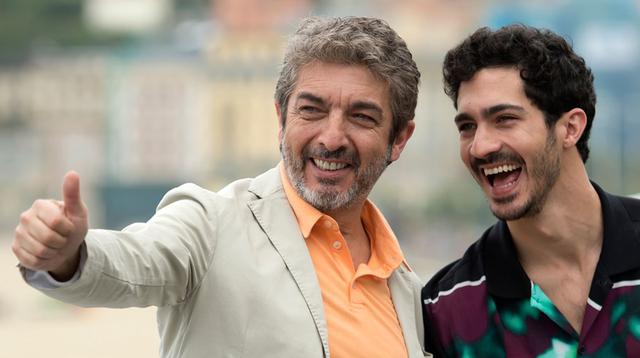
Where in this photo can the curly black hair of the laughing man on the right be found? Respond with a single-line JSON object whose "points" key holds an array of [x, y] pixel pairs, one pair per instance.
{"points": [[555, 78]]}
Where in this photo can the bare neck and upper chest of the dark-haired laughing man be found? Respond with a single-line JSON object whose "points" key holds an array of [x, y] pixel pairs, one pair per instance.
{"points": [[560, 247]]}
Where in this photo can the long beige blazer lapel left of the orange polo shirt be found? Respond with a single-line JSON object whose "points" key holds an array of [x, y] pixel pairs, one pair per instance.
{"points": [[275, 216]]}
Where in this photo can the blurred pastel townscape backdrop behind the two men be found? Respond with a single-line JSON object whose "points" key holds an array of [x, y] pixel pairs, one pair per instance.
{"points": [[141, 96]]}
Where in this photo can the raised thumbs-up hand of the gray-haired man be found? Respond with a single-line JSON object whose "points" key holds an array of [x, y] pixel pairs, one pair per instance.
{"points": [[49, 234]]}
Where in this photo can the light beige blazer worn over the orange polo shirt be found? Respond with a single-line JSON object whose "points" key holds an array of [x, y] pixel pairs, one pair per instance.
{"points": [[229, 272]]}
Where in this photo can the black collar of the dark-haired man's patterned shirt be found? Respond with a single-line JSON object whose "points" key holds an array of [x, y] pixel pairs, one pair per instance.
{"points": [[506, 278]]}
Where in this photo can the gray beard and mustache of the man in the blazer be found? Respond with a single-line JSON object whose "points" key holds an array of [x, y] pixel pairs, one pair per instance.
{"points": [[328, 198]]}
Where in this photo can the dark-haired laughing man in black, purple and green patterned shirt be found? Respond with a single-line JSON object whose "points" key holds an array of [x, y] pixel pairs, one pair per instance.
{"points": [[559, 274]]}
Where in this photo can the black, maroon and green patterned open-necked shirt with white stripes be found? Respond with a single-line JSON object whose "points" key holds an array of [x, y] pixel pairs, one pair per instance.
{"points": [[484, 305]]}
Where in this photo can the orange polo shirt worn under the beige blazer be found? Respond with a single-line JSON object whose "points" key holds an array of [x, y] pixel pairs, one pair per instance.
{"points": [[361, 318]]}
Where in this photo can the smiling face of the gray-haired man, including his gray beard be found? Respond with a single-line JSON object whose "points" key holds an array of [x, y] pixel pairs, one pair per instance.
{"points": [[335, 143]]}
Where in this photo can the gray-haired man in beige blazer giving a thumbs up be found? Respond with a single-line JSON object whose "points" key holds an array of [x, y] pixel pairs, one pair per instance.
{"points": [[293, 263]]}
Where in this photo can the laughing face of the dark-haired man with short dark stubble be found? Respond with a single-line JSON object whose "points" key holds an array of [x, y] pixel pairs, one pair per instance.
{"points": [[505, 143]]}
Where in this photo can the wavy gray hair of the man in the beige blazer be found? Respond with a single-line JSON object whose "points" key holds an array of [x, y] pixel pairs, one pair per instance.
{"points": [[358, 41]]}
